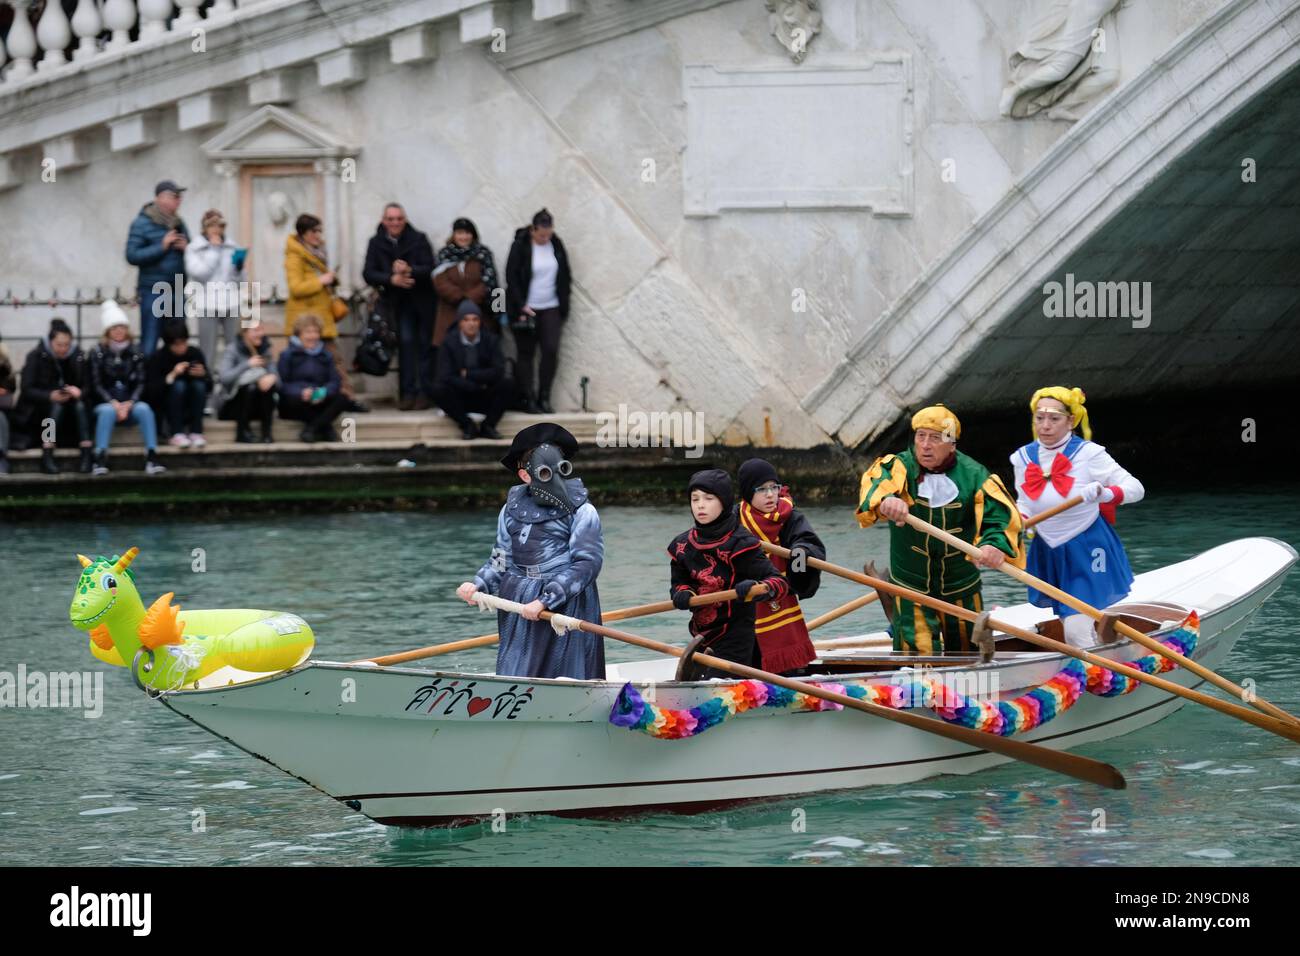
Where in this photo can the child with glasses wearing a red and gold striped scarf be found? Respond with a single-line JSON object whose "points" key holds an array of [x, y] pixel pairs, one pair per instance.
{"points": [[769, 513]]}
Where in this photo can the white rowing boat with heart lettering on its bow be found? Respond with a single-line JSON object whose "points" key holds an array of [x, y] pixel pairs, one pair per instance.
{"points": [[418, 747]]}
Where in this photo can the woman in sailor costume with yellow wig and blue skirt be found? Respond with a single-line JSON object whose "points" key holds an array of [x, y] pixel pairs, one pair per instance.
{"points": [[1076, 551]]}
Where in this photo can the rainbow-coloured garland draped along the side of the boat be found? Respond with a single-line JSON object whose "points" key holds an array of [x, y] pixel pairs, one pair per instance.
{"points": [[1029, 711]]}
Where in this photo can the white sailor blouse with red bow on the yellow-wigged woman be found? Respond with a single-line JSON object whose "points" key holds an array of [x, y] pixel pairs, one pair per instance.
{"points": [[1063, 473]]}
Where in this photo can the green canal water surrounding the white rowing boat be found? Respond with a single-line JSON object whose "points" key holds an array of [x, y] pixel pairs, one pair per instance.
{"points": [[122, 789]]}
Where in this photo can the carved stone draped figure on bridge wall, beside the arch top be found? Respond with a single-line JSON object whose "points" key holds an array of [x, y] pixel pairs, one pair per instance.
{"points": [[1068, 60]]}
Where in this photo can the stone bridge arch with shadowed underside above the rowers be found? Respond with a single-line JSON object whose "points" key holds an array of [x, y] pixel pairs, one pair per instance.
{"points": [[1149, 188]]}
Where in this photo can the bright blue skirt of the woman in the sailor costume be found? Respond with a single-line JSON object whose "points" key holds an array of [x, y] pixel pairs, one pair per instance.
{"points": [[1093, 566]]}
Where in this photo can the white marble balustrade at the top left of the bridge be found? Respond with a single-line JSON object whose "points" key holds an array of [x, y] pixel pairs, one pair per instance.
{"points": [[42, 34]]}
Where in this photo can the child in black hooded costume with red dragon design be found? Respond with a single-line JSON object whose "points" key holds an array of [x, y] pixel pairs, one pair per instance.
{"points": [[718, 555]]}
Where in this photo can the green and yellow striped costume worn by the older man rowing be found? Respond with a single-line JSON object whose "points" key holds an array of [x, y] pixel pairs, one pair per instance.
{"points": [[983, 513]]}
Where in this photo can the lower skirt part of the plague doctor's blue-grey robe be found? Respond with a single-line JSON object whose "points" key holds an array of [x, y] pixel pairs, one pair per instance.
{"points": [[532, 648]]}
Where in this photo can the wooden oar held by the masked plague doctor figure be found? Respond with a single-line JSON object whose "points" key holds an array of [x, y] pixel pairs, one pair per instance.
{"points": [[1060, 762]]}
